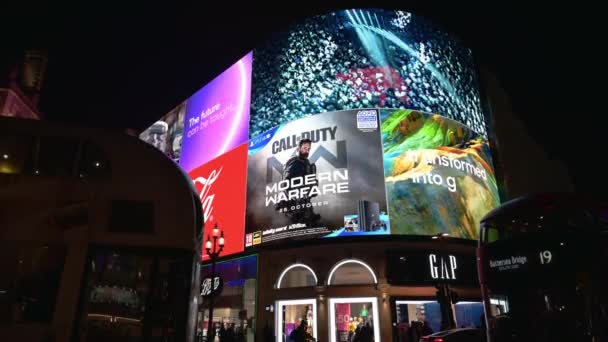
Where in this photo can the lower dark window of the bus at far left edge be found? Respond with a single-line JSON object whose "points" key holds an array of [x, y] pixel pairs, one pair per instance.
{"points": [[30, 281]]}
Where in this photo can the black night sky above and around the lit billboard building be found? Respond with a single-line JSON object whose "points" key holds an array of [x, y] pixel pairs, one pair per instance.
{"points": [[125, 64]]}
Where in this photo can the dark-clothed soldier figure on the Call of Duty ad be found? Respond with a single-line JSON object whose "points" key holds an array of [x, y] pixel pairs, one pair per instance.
{"points": [[300, 166]]}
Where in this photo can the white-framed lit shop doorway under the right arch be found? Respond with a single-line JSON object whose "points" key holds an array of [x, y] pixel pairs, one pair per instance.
{"points": [[354, 318]]}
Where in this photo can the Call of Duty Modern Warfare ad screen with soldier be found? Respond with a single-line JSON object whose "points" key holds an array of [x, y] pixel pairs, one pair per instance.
{"points": [[320, 176]]}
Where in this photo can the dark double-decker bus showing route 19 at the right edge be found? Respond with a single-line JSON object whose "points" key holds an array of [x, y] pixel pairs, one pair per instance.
{"points": [[542, 264]]}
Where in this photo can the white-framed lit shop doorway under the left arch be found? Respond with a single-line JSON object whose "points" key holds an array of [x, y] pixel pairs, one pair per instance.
{"points": [[291, 313]]}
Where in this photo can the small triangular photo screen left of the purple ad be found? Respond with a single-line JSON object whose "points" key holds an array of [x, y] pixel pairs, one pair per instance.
{"points": [[166, 134]]}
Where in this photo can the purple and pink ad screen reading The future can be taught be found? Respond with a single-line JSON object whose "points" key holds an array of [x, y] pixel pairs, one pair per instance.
{"points": [[217, 116]]}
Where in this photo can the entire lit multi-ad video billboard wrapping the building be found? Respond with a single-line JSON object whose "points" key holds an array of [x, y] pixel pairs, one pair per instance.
{"points": [[359, 84]]}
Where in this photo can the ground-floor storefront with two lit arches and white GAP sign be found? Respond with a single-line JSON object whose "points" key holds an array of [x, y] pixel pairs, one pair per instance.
{"points": [[360, 300]]}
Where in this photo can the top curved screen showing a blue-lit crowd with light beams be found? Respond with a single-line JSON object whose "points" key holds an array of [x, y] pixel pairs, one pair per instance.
{"points": [[359, 59]]}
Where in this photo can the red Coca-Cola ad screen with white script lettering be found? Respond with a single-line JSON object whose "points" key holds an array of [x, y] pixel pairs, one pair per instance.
{"points": [[221, 184]]}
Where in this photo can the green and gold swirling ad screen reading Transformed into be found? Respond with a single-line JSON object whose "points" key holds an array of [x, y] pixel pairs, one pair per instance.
{"points": [[438, 172]]}
